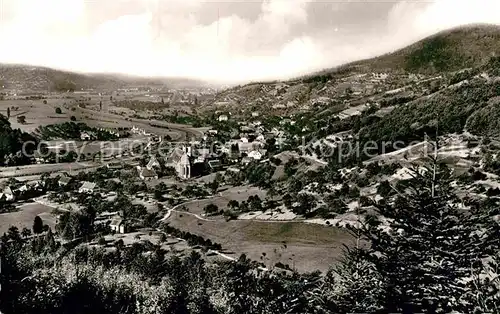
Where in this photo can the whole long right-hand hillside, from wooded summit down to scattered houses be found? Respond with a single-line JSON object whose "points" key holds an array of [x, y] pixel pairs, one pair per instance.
{"points": [[442, 54]]}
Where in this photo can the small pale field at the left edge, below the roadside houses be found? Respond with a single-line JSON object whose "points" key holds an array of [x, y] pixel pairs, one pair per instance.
{"points": [[25, 215]]}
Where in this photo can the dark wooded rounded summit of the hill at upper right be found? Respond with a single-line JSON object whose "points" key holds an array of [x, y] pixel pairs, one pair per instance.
{"points": [[450, 50]]}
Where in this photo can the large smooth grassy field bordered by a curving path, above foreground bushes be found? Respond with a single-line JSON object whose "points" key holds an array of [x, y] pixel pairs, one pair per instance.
{"points": [[306, 246]]}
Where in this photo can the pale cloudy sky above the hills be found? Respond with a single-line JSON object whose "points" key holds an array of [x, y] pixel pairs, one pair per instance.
{"points": [[221, 41]]}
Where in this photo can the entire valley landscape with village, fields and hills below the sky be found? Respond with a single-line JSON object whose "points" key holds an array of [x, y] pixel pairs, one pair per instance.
{"points": [[341, 182]]}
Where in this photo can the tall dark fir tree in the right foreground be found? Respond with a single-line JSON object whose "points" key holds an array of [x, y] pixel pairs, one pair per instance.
{"points": [[428, 246]]}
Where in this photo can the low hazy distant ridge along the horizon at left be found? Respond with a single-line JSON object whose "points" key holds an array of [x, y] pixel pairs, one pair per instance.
{"points": [[35, 78]]}
